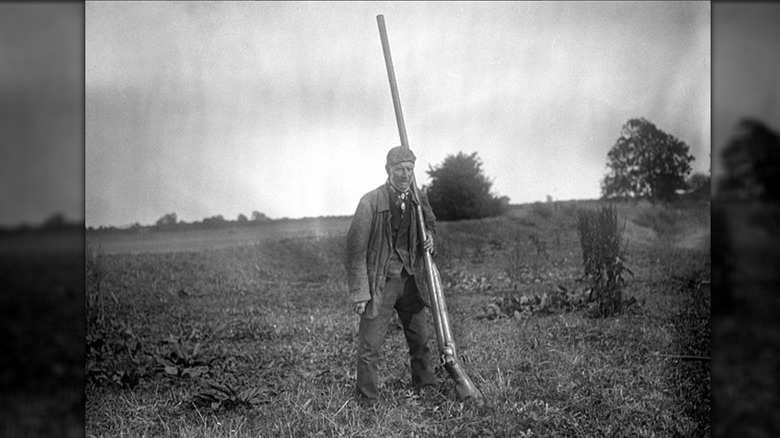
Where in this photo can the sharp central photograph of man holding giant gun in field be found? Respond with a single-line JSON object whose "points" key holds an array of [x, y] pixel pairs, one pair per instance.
{"points": [[389, 219]]}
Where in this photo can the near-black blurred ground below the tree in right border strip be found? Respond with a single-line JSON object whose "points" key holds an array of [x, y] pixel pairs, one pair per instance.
{"points": [[746, 381]]}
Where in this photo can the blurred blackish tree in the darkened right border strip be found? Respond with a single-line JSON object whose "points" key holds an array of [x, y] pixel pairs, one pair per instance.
{"points": [[751, 162]]}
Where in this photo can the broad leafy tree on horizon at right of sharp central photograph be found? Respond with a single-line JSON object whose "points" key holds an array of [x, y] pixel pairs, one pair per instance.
{"points": [[646, 162]]}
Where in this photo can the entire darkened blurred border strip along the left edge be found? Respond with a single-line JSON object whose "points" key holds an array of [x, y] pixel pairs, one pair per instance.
{"points": [[42, 325]]}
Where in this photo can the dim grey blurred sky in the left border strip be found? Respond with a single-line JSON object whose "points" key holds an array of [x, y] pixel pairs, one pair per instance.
{"points": [[41, 111]]}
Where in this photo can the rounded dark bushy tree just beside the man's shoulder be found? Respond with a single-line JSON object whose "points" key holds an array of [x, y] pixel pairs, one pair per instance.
{"points": [[459, 190]]}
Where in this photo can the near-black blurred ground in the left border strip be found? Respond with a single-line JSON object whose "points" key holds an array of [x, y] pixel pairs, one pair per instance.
{"points": [[42, 327]]}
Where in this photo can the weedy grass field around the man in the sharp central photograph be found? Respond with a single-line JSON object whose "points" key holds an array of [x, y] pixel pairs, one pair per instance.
{"points": [[199, 338]]}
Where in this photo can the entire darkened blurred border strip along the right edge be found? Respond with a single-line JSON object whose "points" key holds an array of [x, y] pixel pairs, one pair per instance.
{"points": [[746, 219]]}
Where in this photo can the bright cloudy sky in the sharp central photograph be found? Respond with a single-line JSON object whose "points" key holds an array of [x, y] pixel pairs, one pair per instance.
{"points": [[283, 107]]}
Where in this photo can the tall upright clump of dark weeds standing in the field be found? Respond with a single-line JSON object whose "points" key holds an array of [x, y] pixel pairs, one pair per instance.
{"points": [[603, 257]]}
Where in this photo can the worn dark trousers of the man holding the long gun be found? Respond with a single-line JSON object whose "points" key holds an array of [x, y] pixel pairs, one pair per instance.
{"points": [[401, 296]]}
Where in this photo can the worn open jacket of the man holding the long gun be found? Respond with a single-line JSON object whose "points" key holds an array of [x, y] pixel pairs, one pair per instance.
{"points": [[369, 249]]}
